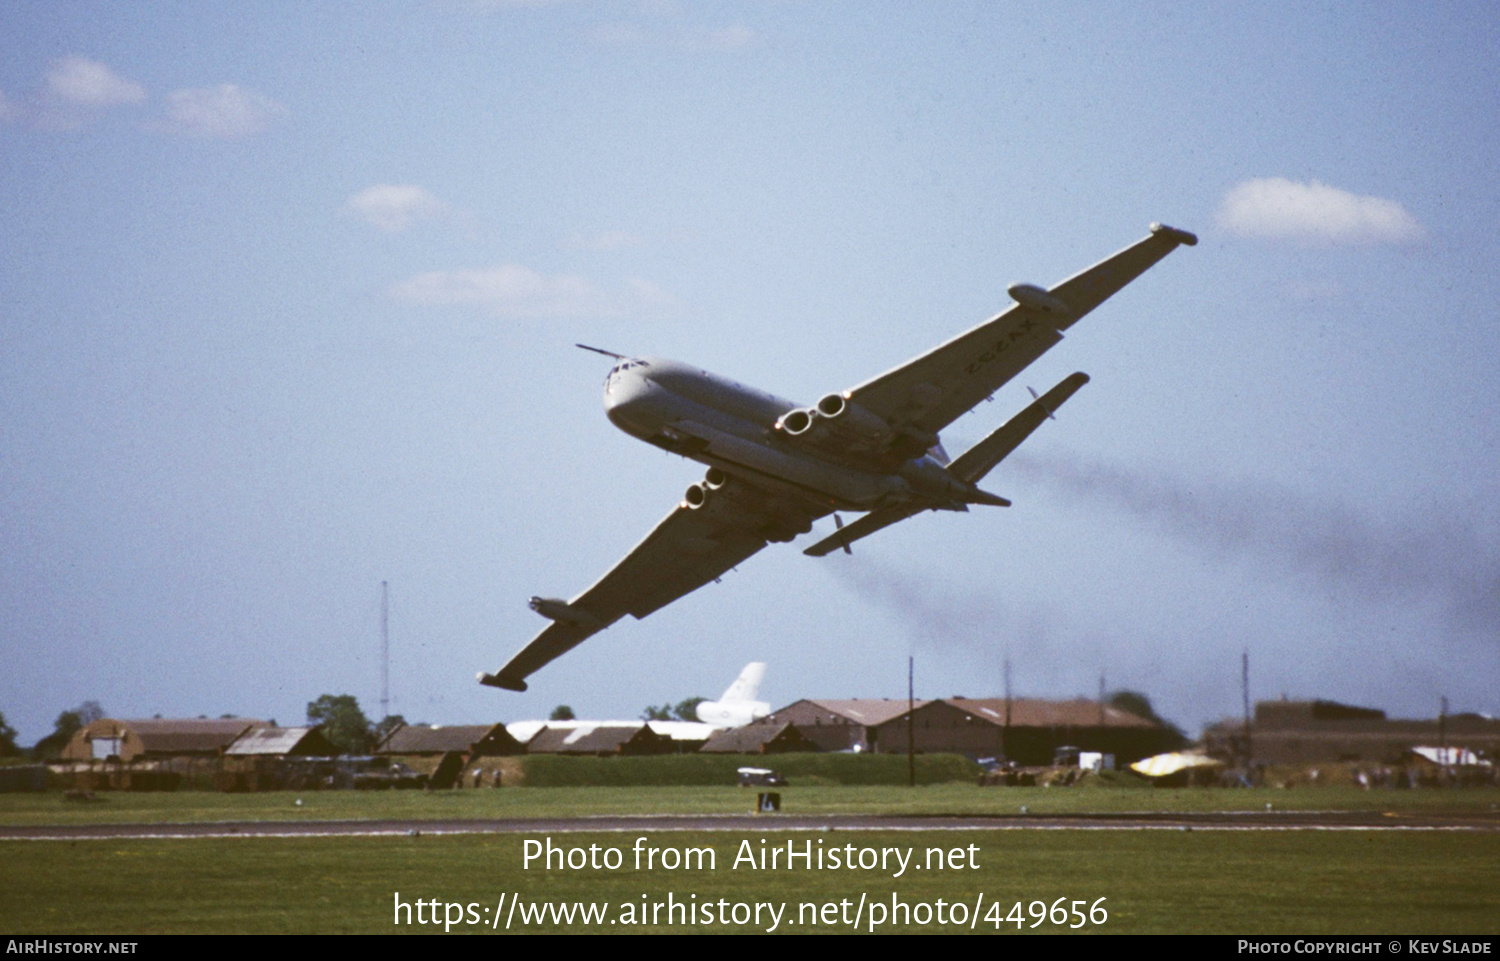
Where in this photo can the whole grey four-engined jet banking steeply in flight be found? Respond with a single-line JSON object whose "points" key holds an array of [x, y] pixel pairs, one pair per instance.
{"points": [[776, 467]]}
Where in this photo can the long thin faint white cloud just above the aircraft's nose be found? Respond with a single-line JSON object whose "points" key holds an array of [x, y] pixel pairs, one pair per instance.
{"points": [[520, 293]]}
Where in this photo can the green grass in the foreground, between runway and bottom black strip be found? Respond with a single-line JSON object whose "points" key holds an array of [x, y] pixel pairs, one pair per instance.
{"points": [[1153, 882]]}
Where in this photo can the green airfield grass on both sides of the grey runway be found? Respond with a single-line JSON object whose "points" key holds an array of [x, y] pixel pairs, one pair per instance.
{"points": [[1153, 881]]}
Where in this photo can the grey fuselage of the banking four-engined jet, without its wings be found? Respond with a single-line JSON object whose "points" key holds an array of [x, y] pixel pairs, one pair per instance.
{"points": [[742, 431]]}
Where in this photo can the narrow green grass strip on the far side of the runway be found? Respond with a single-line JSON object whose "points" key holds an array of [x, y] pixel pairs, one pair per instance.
{"points": [[52, 809]]}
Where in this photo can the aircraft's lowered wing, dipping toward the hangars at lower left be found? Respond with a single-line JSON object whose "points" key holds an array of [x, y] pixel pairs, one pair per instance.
{"points": [[686, 551]]}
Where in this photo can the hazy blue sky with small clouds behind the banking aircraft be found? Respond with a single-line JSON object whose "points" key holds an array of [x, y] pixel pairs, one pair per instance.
{"points": [[289, 296]]}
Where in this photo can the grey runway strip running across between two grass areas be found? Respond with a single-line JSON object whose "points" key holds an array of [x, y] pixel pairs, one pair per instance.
{"points": [[1484, 822]]}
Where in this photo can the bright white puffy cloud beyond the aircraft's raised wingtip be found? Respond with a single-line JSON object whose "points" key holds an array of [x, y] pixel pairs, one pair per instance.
{"points": [[1277, 209]]}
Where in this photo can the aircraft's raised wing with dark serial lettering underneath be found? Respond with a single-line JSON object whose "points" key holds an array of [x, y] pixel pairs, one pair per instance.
{"points": [[931, 392]]}
